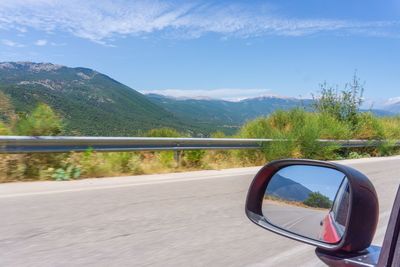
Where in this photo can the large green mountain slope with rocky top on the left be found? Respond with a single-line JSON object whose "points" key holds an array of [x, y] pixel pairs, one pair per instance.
{"points": [[91, 103]]}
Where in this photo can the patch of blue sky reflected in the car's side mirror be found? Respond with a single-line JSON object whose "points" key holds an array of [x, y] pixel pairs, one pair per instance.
{"points": [[321, 179]]}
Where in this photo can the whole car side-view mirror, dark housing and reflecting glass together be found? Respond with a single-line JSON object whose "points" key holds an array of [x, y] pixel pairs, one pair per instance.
{"points": [[330, 206]]}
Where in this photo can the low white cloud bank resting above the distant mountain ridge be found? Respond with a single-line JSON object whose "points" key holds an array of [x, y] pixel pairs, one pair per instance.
{"points": [[231, 94]]}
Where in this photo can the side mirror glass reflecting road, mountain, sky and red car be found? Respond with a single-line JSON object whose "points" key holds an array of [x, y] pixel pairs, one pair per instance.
{"points": [[310, 201]]}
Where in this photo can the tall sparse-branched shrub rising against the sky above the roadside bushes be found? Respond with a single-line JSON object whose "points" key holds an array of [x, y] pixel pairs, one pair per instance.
{"points": [[342, 104]]}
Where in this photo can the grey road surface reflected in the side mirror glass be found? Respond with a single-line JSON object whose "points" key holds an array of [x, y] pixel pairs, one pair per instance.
{"points": [[297, 219]]}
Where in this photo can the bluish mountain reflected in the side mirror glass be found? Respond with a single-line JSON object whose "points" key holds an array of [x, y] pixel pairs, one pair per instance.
{"points": [[287, 189]]}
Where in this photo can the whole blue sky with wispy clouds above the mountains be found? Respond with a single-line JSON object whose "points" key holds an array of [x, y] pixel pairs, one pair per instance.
{"points": [[223, 49]]}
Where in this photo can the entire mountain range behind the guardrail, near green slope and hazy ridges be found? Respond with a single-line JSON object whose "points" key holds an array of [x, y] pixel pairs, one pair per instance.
{"points": [[92, 103]]}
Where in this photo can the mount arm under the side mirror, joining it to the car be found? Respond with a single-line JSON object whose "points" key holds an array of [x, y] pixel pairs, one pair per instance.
{"points": [[368, 257]]}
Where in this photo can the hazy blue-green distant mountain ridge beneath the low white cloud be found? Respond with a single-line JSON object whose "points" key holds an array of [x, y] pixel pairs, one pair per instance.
{"points": [[226, 113]]}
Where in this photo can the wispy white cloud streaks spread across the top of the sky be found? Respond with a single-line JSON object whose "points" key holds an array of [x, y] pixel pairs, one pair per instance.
{"points": [[100, 21]]}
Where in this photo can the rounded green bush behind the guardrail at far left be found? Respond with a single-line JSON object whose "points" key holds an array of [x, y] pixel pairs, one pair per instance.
{"points": [[41, 121]]}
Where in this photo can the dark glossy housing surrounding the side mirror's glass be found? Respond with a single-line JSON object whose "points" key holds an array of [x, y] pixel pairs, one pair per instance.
{"points": [[363, 210]]}
